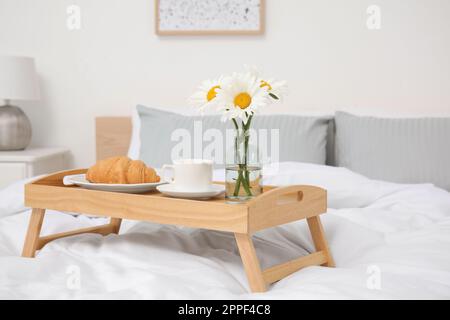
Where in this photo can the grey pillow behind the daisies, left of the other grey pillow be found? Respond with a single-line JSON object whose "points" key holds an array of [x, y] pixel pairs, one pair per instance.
{"points": [[301, 138]]}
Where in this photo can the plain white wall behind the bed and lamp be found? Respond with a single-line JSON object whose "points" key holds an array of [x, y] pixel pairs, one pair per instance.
{"points": [[323, 48]]}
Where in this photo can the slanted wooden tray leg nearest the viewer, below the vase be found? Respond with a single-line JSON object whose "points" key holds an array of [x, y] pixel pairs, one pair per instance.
{"points": [[250, 262]]}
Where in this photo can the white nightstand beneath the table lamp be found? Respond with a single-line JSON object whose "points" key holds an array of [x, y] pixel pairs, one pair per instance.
{"points": [[16, 165]]}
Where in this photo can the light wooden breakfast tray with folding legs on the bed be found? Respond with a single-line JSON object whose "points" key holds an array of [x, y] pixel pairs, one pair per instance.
{"points": [[275, 206]]}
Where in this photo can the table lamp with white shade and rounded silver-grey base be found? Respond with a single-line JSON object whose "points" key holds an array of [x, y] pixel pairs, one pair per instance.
{"points": [[18, 81]]}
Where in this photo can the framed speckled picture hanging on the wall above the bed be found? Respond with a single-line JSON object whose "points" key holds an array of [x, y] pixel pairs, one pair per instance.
{"points": [[210, 17]]}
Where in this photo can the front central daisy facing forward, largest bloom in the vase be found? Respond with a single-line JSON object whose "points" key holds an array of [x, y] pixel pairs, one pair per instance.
{"points": [[240, 97]]}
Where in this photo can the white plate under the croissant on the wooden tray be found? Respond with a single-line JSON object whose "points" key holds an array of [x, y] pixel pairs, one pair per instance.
{"points": [[80, 180]]}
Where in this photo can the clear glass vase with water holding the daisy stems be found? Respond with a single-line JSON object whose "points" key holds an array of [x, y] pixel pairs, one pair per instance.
{"points": [[243, 169]]}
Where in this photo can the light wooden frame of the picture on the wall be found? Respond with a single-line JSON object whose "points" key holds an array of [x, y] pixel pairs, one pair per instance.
{"points": [[162, 29]]}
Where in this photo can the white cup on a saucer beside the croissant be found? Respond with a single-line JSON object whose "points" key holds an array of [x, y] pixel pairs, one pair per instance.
{"points": [[190, 174]]}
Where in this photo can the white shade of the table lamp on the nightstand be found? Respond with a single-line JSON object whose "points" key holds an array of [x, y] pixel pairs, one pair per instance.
{"points": [[18, 78]]}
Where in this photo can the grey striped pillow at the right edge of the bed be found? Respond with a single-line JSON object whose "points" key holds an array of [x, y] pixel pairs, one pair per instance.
{"points": [[398, 150]]}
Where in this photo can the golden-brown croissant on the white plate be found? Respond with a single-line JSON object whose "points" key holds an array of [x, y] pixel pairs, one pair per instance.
{"points": [[121, 170]]}
